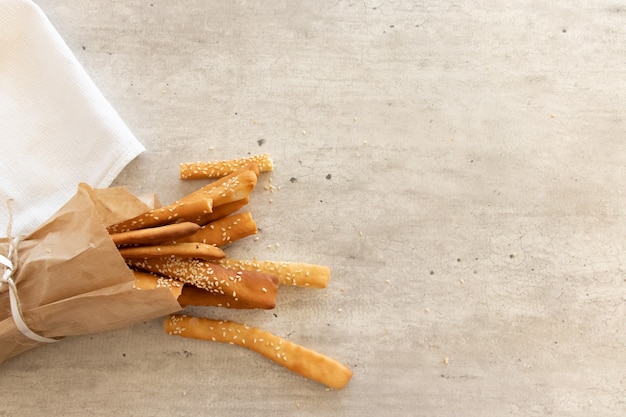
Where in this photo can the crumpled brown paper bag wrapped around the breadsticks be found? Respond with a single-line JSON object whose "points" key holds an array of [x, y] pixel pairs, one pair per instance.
{"points": [[71, 279]]}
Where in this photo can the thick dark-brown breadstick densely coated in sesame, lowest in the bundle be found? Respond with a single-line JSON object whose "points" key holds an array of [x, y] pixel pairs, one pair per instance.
{"points": [[247, 286]]}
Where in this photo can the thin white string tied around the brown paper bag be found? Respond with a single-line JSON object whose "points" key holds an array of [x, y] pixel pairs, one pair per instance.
{"points": [[10, 263]]}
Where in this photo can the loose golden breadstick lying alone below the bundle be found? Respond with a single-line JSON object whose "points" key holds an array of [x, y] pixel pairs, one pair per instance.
{"points": [[296, 358]]}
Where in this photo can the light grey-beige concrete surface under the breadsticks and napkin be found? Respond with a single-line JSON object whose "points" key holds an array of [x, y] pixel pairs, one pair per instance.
{"points": [[460, 166]]}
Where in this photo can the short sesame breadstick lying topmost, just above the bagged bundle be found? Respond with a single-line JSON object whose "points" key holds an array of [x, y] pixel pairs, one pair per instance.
{"points": [[217, 169]]}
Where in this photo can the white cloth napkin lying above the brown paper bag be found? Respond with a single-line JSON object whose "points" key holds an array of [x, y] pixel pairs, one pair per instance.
{"points": [[56, 127]]}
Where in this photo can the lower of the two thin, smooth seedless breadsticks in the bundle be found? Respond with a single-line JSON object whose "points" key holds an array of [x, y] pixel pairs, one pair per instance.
{"points": [[181, 250]]}
